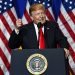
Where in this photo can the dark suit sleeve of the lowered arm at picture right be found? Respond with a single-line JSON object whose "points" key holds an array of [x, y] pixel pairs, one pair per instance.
{"points": [[60, 38]]}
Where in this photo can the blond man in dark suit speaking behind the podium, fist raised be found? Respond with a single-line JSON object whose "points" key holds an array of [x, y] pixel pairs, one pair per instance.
{"points": [[26, 36]]}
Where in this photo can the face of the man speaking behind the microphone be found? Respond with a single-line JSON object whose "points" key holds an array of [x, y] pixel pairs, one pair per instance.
{"points": [[39, 16]]}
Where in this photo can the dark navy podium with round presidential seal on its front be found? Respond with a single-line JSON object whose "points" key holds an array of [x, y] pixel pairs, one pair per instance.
{"points": [[54, 65]]}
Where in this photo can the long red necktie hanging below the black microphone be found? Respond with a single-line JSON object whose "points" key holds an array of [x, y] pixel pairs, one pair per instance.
{"points": [[41, 39]]}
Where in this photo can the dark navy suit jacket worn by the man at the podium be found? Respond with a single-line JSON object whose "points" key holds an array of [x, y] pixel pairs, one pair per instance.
{"points": [[28, 40]]}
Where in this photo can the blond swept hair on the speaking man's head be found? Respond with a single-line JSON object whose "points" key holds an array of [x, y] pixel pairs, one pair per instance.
{"points": [[35, 7]]}
